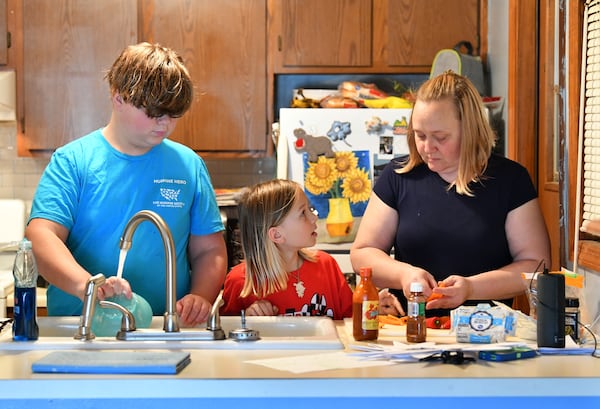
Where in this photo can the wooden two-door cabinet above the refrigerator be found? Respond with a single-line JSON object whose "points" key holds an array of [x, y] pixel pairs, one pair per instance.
{"points": [[370, 36]]}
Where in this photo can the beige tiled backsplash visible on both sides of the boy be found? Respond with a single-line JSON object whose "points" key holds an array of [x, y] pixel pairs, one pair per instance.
{"points": [[19, 176]]}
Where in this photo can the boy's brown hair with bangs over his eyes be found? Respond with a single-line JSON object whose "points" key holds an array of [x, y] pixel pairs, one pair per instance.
{"points": [[153, 78]]}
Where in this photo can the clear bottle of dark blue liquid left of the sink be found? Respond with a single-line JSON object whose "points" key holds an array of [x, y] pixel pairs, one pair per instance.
{"points": [[25, 273]]}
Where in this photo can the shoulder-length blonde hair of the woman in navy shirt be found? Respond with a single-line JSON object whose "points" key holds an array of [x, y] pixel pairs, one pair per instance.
{"points": [[477, 137]]}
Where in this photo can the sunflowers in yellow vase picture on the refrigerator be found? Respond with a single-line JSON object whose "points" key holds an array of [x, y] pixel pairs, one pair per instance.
{"points": [[338, 188]]}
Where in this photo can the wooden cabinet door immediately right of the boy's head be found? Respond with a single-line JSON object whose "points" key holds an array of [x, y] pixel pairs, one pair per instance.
{"points": [[223, 44]]}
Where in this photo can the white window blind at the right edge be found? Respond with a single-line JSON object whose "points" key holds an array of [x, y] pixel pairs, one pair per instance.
{"points": [[590, 219]]}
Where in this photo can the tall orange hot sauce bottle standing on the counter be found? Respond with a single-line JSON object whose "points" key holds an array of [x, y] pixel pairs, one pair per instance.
{"points": [[365, 308]]}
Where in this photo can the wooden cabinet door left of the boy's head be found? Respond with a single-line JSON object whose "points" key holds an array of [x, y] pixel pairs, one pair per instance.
{"points": [[67, 47]]}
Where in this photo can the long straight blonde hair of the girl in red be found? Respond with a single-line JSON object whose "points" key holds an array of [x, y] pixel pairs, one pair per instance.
{"points": [[263, 206]]}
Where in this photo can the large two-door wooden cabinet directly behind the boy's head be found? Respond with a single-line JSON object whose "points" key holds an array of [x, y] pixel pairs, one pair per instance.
{"points": [[69, 44]]}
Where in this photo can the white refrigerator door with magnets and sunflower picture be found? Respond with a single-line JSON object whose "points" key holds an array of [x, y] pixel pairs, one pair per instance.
{"points": [[335, 155]]}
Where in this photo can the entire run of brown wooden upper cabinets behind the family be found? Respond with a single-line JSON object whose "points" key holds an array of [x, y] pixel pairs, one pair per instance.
{"points": [[234, 50]]}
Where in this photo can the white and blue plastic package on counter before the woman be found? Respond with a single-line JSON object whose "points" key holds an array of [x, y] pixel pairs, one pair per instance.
{"points": [[482, 324]]}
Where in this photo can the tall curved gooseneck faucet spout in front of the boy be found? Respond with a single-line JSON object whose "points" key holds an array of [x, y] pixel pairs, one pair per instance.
{"points": [[171, 319]]}
